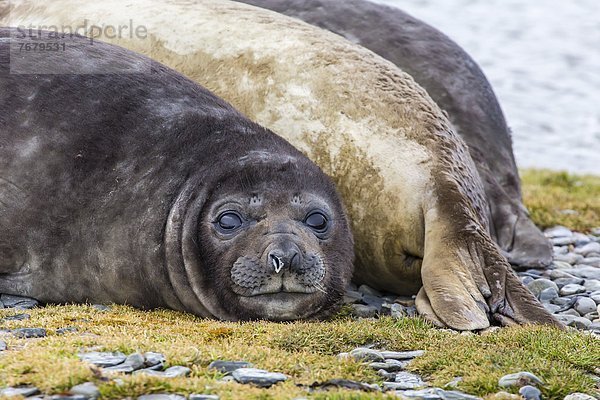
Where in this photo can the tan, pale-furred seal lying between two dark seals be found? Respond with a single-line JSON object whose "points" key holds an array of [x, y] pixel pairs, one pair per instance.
{"points": [[414, 198]]}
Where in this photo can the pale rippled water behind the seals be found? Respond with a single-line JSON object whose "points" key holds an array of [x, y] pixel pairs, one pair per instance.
{"points": [[543, 60]]}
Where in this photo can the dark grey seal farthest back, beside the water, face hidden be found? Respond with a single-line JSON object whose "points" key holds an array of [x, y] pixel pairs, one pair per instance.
{"points": [[458, 86]]}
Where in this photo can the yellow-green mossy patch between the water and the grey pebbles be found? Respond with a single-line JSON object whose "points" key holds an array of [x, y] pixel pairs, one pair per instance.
{"points": [[559, 198]]}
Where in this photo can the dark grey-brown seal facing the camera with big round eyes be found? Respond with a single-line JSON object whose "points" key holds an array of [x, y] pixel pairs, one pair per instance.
{"points": [[144, 188]]}
